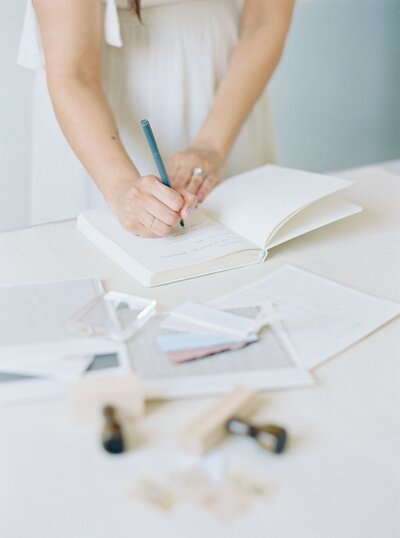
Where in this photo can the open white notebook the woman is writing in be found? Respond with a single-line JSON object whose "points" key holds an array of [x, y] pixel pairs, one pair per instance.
{"points": [[241, 219]]}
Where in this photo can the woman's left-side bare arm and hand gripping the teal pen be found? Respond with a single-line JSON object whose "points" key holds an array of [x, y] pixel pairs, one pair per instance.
{"points": [[72, 34]]}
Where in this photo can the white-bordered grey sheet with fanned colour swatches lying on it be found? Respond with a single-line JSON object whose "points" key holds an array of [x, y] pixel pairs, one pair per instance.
{"points": [[269, 362]]}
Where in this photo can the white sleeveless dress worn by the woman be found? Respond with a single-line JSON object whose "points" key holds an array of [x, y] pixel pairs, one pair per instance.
{"points": [[166, 70]]}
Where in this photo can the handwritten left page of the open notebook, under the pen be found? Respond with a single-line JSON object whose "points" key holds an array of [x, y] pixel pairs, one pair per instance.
{"points": [[201, 240]]}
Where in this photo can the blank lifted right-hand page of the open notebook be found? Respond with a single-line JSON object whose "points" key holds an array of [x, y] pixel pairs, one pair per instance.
{"points": [[256, 203]]}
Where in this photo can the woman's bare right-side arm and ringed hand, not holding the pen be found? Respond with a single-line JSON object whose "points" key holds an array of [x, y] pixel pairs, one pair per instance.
{"points": [[264, 27]]}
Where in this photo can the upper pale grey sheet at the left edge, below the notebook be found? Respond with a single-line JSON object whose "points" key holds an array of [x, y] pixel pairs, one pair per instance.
{"points": [[33, 320]]}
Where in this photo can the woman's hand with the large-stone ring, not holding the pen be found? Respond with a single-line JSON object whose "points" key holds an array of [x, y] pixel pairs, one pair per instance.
{"points": [[196, 169]]}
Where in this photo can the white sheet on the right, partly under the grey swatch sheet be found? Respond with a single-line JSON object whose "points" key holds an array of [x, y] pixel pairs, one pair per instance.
{"points": [[321, 317]]}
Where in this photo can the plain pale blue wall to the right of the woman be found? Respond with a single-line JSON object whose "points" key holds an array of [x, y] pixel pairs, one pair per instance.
{"points": [[336, 94]]}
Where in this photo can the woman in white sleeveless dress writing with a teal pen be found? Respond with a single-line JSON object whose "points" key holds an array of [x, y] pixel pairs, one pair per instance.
{"points": [[194, 68]]}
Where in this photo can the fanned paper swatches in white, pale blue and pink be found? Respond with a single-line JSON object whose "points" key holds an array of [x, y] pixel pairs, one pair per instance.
{"points": [[197, 331]]}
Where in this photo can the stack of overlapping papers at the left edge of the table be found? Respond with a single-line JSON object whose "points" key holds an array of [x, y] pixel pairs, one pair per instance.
{"points": [[38, 355]]}
